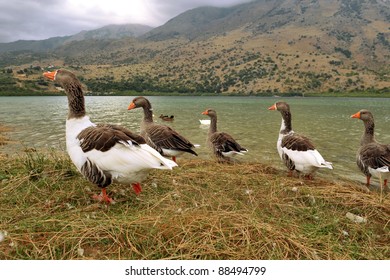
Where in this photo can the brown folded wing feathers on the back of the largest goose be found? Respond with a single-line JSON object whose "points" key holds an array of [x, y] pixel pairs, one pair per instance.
{"points": [[104, 136]]}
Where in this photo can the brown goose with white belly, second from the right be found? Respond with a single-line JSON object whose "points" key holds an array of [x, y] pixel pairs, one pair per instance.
{"points": [[295, 150]]}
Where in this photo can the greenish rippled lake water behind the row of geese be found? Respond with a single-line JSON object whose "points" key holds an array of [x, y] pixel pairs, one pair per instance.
{"points": [[40, 122]]}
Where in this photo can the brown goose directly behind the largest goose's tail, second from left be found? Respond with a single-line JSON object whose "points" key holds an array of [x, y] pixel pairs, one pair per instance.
{"points": [[163, 138]]}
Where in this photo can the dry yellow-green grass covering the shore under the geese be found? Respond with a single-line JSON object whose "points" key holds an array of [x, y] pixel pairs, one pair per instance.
{"points": [[200, 210]]}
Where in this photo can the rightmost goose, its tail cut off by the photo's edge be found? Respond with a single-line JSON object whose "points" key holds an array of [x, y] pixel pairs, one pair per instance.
{"points": [[373, 158]]}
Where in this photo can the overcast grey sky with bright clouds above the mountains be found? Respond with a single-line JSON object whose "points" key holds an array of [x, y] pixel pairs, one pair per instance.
{"points": [[42, 19]]}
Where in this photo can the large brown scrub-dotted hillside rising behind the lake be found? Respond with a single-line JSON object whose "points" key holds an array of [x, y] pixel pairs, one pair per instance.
{"points": [[271, 47]]}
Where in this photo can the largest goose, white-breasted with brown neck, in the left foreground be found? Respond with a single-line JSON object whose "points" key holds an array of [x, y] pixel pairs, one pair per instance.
{"points": [[104, 153]]}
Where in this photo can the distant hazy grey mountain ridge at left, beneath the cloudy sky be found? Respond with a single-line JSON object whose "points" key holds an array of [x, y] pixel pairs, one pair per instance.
{"points": [[111, 32]]}
